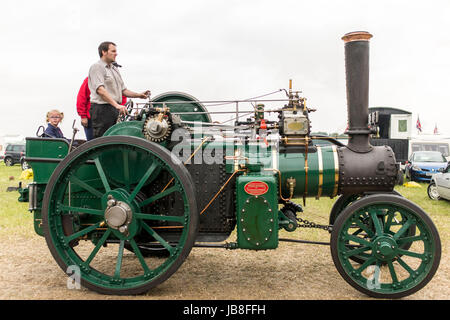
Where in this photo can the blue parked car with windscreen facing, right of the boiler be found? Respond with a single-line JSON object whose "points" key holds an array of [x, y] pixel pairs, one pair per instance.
{"points": [[423, 164]]}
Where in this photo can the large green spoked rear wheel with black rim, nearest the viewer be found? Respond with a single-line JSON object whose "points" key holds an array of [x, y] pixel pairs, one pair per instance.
{"points": [[104, 192]]}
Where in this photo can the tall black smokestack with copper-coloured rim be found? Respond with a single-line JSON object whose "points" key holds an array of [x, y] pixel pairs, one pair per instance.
{"points": [[357, 76]]}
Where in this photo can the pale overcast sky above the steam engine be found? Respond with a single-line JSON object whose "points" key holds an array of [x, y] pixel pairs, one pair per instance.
{"points": [[217, 50]]}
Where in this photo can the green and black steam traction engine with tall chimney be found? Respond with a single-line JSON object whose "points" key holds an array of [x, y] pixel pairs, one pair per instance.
{"points": [[142, 188]]}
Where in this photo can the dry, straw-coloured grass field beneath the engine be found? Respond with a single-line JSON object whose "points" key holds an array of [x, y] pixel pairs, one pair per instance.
{"points": [[293, 271]]}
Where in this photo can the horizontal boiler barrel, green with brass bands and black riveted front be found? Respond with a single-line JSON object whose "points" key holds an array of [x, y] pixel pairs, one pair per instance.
{"points": [[333, 170]]}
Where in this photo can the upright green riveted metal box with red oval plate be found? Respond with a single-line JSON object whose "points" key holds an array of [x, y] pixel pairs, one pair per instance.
{"points": [[257, 215]]}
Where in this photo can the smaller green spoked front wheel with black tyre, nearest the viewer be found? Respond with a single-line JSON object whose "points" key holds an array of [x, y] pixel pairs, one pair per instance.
{"points": [[390, 270]]}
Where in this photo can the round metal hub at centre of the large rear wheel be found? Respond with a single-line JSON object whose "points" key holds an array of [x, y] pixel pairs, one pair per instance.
{"points": [[118, 215]]}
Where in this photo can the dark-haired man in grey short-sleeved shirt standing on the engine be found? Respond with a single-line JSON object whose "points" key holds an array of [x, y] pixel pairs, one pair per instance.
{"points": [[107, 87]]}
